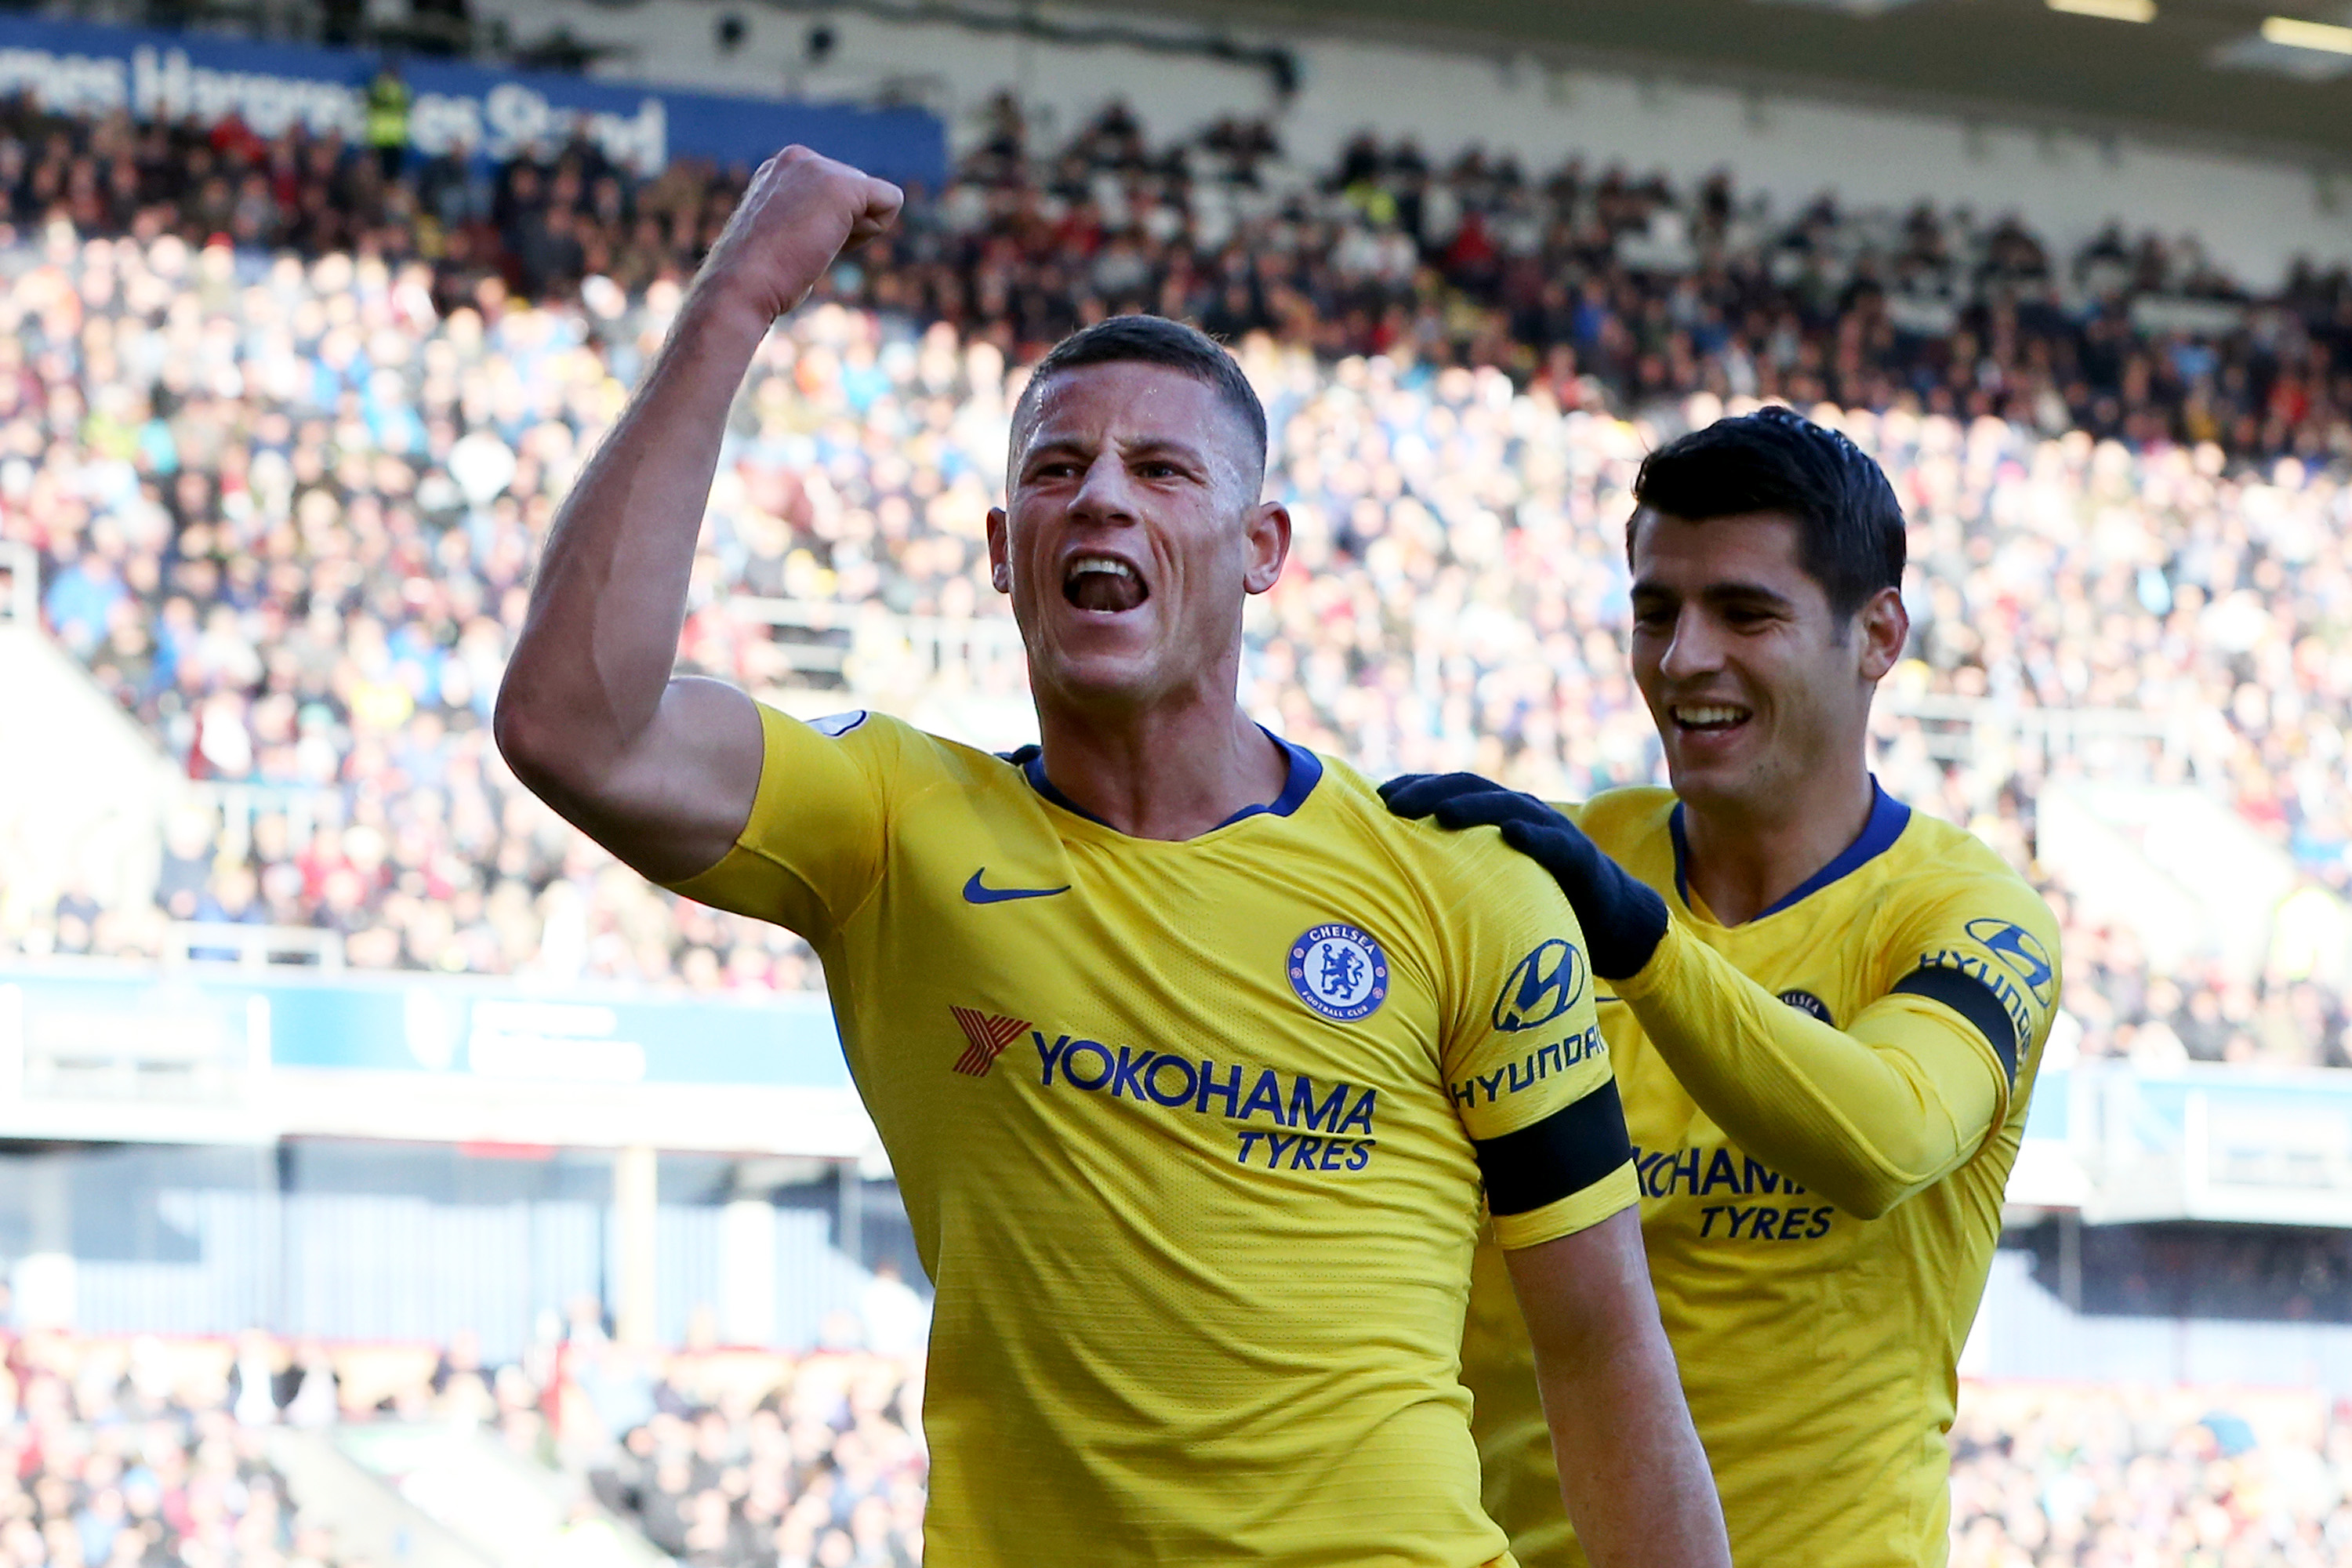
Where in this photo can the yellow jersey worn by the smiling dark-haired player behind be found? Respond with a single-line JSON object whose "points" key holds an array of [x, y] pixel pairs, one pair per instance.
{"points": [[1819, 1351]]}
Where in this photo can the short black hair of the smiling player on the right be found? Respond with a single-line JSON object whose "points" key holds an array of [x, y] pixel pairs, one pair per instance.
{"points": [[1850, 525]]}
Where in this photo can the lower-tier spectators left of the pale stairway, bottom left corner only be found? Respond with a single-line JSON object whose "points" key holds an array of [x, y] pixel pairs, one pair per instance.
{"points": [[121, 1461]]}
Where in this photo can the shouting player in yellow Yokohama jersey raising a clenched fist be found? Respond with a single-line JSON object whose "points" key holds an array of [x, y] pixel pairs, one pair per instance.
{"points": [[1194, 1061]]}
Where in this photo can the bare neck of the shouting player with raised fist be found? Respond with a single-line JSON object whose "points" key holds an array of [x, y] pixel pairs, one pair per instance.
{"points": [[1168, 772]]}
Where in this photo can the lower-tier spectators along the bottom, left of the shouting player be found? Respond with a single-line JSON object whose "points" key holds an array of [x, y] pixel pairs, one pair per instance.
{"points": [[152, 1454]]}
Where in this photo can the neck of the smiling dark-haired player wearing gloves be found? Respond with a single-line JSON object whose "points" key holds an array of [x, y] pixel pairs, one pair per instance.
{"points": [[1746, 857]]}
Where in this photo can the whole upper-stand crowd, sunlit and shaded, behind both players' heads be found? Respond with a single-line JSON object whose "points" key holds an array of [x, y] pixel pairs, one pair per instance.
{"points": [[286, 485]]}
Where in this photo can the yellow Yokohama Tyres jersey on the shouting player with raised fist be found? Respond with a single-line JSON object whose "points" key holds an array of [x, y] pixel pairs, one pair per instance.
{"points": [[1194, 1139]]}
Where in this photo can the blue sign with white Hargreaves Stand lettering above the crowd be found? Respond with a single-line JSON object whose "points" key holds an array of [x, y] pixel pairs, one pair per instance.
{"points": [[490, 114]]}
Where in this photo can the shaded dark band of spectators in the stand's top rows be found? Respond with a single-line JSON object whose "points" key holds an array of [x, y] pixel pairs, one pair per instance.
{"points": [[1610, 288]]}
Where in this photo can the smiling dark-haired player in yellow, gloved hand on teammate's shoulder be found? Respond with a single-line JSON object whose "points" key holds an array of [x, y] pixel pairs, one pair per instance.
{"points": [[1826, 1014]]}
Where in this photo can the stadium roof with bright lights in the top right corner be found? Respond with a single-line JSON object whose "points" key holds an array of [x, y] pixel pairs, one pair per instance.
{"points": [[2196, 72]]}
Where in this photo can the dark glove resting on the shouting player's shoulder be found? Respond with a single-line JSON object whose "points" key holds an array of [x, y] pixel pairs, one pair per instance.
{"points": [[1622, 918]]}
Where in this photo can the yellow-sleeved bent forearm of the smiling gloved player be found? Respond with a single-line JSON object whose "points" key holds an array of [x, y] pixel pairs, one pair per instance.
{"points": [[1866, 1120]]}
